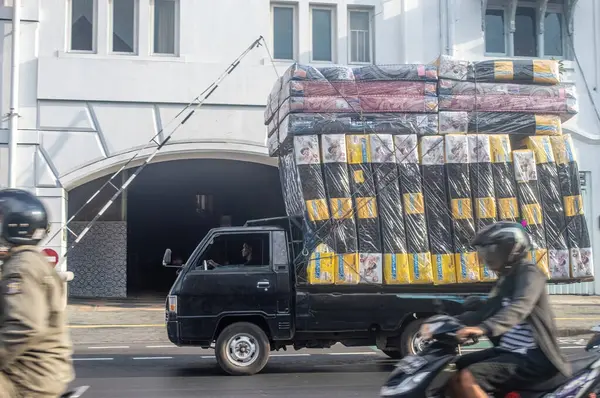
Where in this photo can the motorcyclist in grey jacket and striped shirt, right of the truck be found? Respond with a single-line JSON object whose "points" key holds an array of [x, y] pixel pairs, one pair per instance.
{"points": [[517, 318]]}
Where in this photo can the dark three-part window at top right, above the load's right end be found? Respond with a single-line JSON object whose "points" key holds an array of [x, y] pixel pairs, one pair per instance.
{"points": [[525, 39]]}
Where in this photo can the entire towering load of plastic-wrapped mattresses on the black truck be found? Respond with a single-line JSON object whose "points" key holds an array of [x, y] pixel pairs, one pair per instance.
{"points": [[394, 175]]}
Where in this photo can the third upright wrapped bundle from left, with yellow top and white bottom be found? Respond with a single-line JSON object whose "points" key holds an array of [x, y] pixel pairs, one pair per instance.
{"points": [[362, 186]]}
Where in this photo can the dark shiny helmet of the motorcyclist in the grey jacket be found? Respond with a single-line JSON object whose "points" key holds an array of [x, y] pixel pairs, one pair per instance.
{"points": [[503, 242]]}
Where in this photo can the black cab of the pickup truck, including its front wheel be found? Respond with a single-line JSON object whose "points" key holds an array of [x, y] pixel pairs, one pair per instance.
{"points": [[238, 278]]}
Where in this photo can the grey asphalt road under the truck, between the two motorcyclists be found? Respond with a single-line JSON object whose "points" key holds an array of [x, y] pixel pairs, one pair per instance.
{"points": [[165, 371]]}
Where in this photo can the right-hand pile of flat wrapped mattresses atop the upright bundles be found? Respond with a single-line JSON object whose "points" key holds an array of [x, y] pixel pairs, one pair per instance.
{"points": [[521, 97]]}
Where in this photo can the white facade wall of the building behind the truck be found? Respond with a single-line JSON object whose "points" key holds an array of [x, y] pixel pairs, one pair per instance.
{"points": [[83, 114]]}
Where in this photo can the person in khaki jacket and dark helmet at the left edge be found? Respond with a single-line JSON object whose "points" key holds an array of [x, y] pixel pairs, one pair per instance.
{"points": [[35, 347]]}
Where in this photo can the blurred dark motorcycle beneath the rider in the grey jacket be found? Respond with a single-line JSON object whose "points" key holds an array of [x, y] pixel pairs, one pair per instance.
{"points": [[428, 373]]}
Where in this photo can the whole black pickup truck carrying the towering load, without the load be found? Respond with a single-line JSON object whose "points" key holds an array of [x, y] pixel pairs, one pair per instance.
{"points": [[258, 303]]}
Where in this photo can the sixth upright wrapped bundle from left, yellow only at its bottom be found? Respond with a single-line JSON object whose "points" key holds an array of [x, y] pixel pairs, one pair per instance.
{"points": [[439, 225]]}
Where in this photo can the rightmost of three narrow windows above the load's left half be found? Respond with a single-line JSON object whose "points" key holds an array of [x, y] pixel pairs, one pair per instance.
{"points": [[360, 36]]}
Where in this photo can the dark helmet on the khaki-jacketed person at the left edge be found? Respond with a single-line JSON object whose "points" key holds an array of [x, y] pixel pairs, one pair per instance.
{"points": [[24, 219]]}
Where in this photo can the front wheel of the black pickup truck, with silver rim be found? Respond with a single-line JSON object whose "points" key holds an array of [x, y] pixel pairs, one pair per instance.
{"points": [[251, 335]]}
